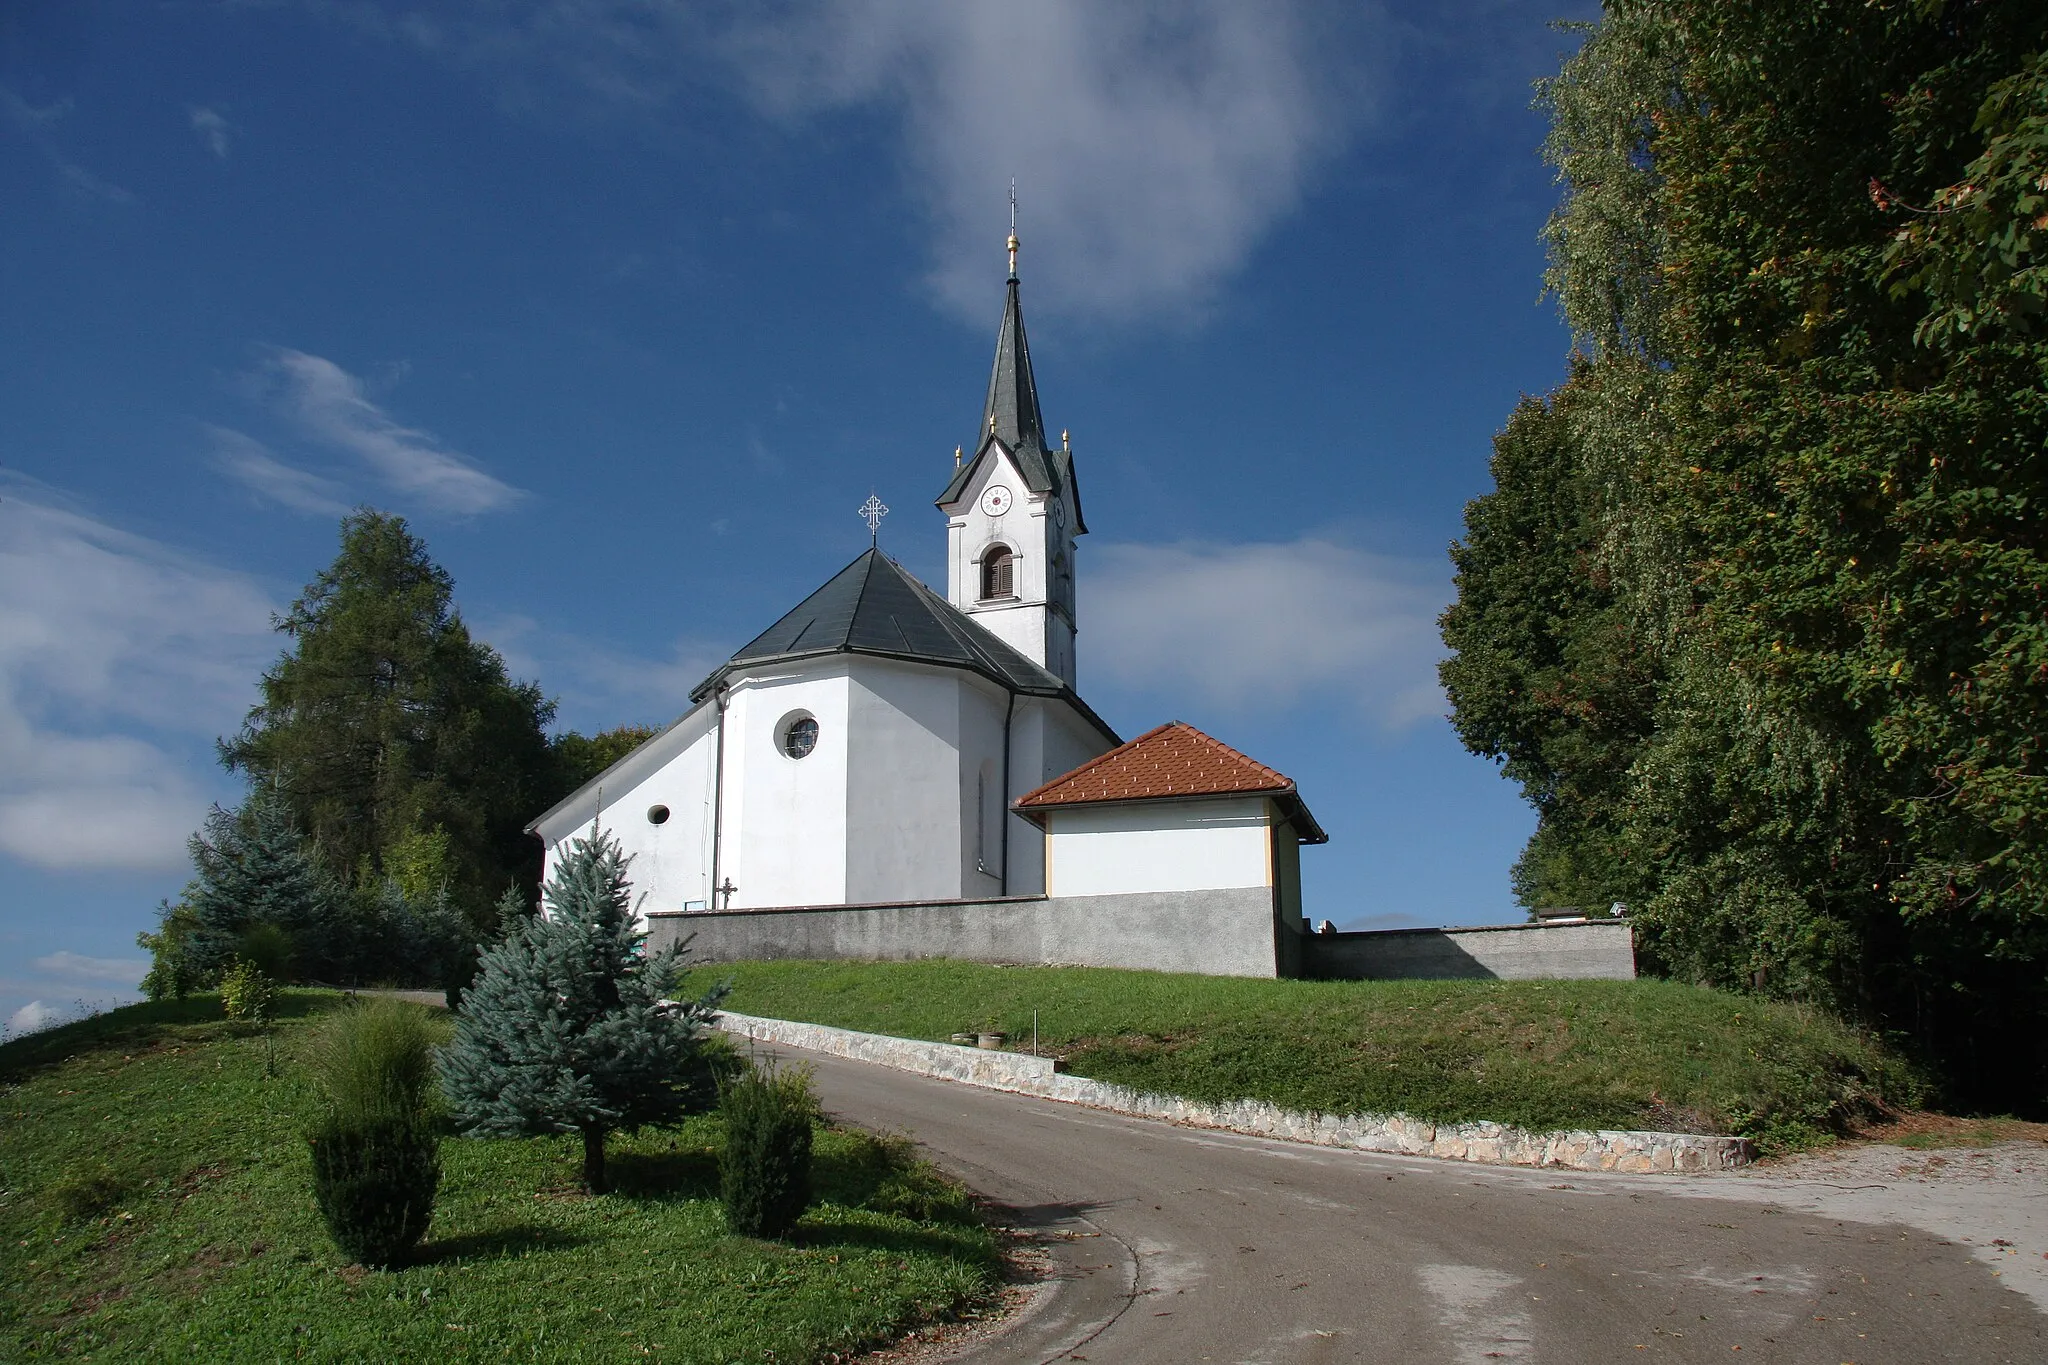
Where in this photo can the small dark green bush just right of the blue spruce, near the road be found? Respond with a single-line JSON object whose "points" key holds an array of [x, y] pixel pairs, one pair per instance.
{"points": [[767, 1170]]}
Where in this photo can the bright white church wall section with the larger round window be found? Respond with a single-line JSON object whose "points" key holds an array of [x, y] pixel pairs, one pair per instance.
{"points": [[785, 820]]}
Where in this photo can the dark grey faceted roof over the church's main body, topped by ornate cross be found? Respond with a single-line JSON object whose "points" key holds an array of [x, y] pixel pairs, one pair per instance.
{"points": [[873, 607]]}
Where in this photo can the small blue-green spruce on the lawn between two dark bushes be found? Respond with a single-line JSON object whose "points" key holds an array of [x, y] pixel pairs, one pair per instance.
{"points": [[568, 1030]]}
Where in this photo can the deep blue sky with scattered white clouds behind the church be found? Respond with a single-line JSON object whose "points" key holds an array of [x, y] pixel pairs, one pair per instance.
{"points": [[630, 304]]}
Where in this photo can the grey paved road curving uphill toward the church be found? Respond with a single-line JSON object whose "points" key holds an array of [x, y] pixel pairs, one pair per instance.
{"points": [[1179, 1247]]}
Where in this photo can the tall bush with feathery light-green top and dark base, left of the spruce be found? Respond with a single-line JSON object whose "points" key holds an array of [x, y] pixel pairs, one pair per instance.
{"points": [[376, 1145]]}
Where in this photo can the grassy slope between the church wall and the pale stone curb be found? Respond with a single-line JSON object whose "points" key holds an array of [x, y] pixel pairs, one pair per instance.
{"points": [[1533, 1053]]}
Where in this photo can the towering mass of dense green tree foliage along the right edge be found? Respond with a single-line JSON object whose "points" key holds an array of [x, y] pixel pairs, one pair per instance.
{"points": [[1793, 494]]}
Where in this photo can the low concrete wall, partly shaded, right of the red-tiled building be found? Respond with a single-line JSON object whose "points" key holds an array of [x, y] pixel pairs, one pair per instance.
{"points": [[1601, 951]]}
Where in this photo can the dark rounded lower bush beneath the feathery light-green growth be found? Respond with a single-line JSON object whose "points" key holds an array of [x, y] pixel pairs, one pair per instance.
{"points": [[376, 1186]]}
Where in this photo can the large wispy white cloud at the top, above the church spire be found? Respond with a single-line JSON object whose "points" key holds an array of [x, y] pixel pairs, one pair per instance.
{"points": [[1152, 142]]}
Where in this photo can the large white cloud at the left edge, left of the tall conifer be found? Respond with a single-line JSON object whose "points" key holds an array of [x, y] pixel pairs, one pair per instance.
{"points": [[116, 654]]}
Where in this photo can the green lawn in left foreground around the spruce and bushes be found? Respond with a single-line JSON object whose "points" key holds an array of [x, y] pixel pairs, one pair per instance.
{"points": [[157, 1204]]}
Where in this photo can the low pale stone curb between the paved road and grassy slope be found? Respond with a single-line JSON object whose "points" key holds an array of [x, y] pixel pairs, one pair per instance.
{"points": [[1641, 1153]]}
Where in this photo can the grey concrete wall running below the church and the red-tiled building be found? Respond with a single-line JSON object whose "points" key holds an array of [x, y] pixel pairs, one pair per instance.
{"points": [[1211, 932]]}
